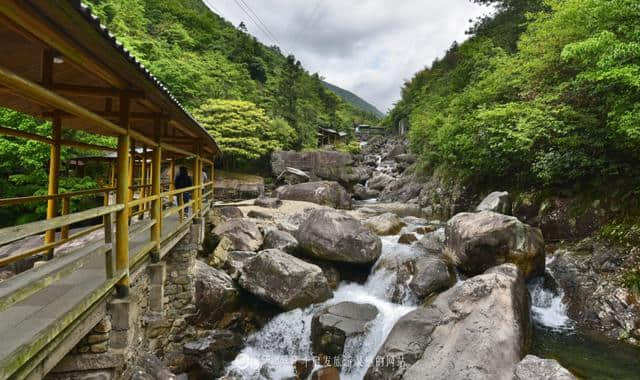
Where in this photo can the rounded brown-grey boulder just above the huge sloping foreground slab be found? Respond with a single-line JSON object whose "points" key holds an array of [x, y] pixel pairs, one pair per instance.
{"points": [[476, 242]]}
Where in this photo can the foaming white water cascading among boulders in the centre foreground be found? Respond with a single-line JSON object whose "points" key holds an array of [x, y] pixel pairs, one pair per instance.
{"points": [[287, 338]]}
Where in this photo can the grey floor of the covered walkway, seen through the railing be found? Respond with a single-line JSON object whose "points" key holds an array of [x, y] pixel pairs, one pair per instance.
{"points": [[33, 318]]}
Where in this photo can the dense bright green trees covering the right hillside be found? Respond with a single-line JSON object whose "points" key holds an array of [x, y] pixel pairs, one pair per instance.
{"points": [[544, 95]]}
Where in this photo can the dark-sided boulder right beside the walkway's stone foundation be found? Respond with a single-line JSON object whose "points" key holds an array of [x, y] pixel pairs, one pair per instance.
{"points": [[216, 292]]}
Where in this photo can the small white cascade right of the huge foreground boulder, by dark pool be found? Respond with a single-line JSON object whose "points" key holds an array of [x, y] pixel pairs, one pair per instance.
{"points": [[548, 308]]}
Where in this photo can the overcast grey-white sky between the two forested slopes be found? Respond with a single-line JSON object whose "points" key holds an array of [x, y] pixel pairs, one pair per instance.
{"points": [[369, 47]]}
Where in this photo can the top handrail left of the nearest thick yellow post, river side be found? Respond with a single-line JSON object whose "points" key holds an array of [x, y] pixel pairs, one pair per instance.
{"points": [[11, 234]]}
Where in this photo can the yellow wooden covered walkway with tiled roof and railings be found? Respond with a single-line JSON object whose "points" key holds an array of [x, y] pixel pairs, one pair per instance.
{"points": [[57, 63]]}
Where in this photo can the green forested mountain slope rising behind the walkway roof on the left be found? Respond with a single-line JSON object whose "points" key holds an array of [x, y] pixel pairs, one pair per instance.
{"points": [[200, 56]]}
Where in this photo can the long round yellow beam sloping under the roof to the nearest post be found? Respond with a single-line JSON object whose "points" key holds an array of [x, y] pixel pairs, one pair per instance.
{"points": [[40, 94]]}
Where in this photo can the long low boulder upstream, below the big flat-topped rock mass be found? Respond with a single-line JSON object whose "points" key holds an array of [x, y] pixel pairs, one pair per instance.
{"points": [[323, 193]]}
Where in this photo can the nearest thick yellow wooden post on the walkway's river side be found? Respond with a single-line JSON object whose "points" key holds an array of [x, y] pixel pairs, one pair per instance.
{"points": [[122, 197]]}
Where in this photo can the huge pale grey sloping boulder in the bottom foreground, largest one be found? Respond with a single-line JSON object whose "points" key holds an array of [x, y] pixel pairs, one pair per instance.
{"points": [[475, 330]]}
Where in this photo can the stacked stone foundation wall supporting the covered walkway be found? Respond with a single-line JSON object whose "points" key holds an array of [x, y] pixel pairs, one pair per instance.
{"points": [[151, 321]]}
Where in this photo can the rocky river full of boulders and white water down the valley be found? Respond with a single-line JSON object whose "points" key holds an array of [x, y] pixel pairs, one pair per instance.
{"points": [[314, 284]]}
